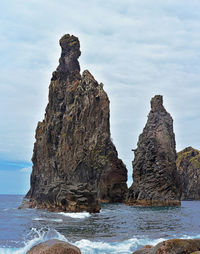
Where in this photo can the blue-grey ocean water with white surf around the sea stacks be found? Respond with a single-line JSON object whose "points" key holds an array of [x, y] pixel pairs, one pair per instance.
{"points": [[116, 229]]}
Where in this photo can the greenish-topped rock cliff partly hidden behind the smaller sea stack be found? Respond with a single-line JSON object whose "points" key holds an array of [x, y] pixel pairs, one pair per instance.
{"points": [[188, 165]]}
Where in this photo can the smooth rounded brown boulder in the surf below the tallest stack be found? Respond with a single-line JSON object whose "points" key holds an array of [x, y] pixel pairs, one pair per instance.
{"points": [[54, 247]]}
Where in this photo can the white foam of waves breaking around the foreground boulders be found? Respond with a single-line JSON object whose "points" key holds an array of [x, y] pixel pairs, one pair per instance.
{"points": [[87, 246]]}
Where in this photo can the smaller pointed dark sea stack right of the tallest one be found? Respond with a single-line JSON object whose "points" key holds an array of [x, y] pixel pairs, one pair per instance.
{"points": [[155, 177]]}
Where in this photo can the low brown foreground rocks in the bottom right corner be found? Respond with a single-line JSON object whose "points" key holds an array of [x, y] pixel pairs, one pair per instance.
{"points": [[173, 246]]}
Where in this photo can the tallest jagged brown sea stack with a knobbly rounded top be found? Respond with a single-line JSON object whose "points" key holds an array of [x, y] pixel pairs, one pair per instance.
{"points": [[75, 164]]}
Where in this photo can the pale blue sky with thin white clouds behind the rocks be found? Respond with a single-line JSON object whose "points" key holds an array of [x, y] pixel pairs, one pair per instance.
{"points": [[136, 48]]}
